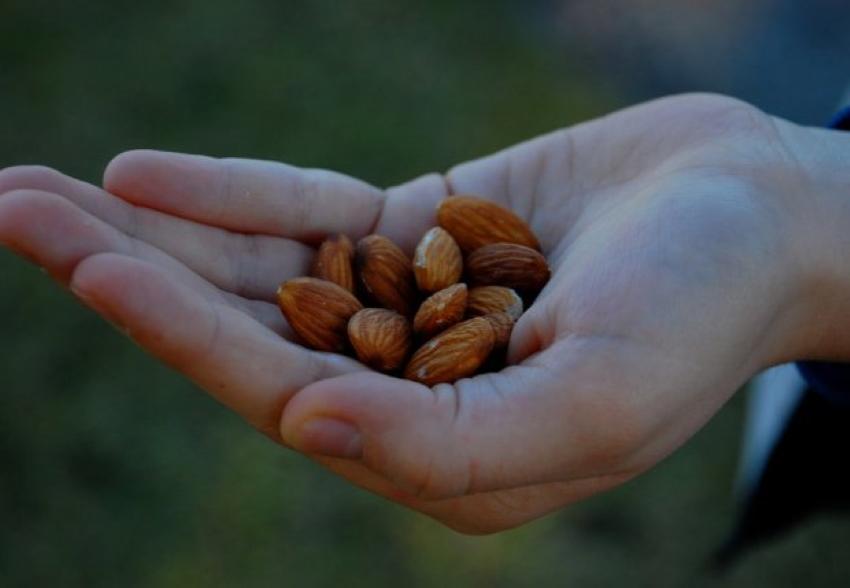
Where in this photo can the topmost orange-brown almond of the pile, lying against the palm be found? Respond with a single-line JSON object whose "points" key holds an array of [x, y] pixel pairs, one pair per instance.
{"points": [[475, 222]]}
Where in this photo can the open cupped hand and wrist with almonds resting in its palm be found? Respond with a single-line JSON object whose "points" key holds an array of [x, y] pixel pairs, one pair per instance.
{"points": [[694, 241]]}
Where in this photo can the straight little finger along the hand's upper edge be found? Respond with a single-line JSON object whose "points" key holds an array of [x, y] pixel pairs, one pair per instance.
{"points": [[247, 195]]}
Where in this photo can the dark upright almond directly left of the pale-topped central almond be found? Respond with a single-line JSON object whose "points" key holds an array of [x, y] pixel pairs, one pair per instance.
{"points": [[386, 273]]}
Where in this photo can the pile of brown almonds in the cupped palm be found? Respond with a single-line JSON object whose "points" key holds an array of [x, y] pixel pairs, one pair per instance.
{"points": [[458, 329]]}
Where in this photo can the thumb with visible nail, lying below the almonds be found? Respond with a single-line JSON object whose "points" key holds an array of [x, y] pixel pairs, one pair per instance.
{"points": [[526, 425]]}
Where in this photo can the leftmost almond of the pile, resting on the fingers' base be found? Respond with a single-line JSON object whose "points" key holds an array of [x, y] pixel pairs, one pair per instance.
{"points": [[318, 311]]}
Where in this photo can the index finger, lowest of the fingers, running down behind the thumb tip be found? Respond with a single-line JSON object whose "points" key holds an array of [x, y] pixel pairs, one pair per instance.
{"points": [[234, 358]]}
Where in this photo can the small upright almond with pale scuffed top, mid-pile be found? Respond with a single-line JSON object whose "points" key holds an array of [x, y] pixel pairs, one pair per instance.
{"points": [[437, 263]]}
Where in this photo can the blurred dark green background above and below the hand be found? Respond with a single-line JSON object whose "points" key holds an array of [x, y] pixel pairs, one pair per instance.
{"points": [[115, 471]]}
